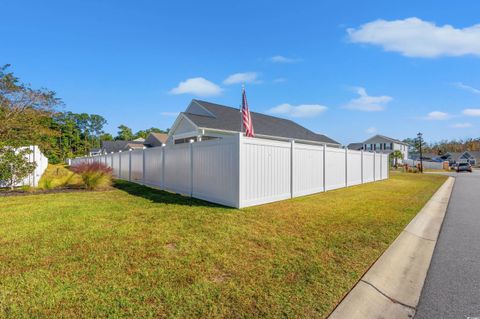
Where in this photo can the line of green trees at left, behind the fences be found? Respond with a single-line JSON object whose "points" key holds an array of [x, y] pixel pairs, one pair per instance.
{"points": [[32, 117]]}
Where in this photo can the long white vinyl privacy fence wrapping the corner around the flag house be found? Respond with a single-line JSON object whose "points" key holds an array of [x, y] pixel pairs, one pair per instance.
{"points": [[242, 172]]}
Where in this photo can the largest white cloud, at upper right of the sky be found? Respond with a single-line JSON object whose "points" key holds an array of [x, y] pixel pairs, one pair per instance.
{"points": [[414, 37]]}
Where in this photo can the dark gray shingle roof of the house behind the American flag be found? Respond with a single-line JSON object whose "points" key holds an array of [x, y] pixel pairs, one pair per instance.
{"points": [[228, 118]]}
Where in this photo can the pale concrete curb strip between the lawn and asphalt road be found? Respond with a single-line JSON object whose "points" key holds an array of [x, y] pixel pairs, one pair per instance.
{"points": [[391, 288]]}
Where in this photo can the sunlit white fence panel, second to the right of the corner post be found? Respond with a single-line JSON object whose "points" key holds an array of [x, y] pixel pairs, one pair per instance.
{"points": [[307, 169]]}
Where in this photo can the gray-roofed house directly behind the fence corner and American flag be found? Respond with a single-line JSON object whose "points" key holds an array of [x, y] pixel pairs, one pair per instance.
{"points": [[204, 120]]}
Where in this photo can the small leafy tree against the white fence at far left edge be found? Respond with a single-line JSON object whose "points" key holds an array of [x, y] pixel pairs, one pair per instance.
{"points": [[15, 166]]}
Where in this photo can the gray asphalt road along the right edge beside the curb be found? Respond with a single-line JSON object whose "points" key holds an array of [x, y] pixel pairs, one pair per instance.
{"points": [[452, 286]]}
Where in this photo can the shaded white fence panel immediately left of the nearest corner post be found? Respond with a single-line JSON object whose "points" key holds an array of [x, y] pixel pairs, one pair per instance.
{"points": [[215, 171]]}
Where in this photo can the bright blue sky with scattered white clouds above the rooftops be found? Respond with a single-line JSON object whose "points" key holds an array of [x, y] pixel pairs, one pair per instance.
{"points": [[347, 69]]}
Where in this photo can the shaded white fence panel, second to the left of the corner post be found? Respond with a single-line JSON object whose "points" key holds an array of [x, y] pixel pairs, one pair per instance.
{"points": [[178, 168]]}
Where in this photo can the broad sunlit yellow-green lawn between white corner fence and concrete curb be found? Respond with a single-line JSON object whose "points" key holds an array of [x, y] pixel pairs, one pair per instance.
{"points": [[136, 252]]}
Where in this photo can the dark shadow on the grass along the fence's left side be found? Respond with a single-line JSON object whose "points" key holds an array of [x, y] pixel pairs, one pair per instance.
{"points": [[159, 196]]}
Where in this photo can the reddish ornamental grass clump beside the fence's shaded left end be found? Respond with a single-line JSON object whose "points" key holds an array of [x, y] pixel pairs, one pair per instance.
{"points": [[95, 176]]}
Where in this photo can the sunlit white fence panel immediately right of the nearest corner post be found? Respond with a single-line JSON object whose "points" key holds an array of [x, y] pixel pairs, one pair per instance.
{"points": [[264, 171]]}
